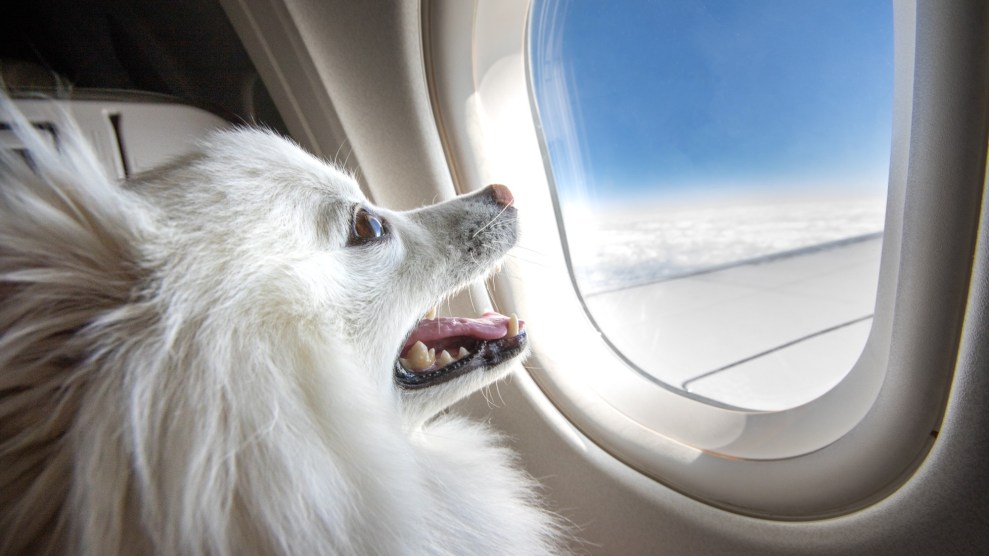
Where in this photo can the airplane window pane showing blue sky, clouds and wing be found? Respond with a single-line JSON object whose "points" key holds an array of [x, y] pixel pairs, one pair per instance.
{"points": [[720, 171]]}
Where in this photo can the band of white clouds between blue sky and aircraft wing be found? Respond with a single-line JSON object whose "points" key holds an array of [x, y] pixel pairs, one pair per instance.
{"points": [[625, 248]]}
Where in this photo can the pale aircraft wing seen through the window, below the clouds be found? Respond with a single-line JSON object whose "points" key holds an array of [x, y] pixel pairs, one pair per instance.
{"points": [[766, 335]]}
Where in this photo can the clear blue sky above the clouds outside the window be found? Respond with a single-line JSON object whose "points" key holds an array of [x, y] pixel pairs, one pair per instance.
{"points": [[648, 97]]}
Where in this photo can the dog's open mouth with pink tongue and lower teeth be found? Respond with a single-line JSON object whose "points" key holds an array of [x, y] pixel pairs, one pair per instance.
{"points": [[443, 348]]}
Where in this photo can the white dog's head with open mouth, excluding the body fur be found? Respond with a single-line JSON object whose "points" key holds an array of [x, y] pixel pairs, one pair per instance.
{"points": [[269, 235]]}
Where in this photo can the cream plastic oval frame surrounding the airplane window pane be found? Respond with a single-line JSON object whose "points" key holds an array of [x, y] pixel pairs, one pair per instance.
{"points": [[812, 461]]}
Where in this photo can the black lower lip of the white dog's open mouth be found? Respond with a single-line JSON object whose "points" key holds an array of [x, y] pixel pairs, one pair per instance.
{"points": [[485, 354]]}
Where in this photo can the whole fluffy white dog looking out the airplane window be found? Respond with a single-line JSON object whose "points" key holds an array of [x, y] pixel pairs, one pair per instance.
{"points": [[225, 356]]}
